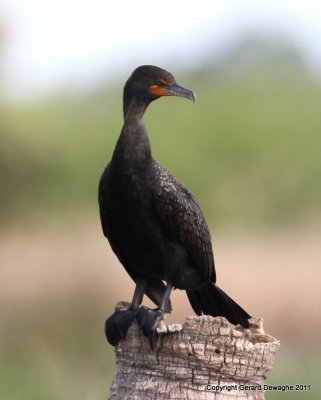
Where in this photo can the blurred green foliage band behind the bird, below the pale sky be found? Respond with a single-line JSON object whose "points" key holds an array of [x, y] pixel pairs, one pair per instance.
{"points": [[248, 149]]}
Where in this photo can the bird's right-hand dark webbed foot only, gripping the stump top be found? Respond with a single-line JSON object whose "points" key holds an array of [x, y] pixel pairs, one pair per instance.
{"points": [[148, 320]]}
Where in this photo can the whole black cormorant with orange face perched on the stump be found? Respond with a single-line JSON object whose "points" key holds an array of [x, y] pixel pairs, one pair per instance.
{"points": [[153, 223]]}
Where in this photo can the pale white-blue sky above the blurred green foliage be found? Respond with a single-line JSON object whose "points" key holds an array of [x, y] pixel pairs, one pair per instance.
{"points": [[73, 43]]}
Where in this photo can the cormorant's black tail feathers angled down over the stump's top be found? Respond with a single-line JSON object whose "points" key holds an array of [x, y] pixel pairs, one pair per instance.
{"points": [[211, 300]]}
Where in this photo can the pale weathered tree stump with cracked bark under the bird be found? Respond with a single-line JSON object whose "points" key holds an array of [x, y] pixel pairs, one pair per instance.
{"points": [[206, 358]]}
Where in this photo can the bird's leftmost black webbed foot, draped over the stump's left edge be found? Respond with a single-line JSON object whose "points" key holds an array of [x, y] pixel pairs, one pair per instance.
{"points": [[117, 325]]}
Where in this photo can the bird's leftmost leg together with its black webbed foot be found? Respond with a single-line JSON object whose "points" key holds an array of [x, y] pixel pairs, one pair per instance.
{"points": [[117, 325]]}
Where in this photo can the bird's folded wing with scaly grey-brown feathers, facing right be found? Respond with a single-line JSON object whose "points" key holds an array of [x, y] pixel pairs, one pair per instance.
{"points": [[182, 219]]}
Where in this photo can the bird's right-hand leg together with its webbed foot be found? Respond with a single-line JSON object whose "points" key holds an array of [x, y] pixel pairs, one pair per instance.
{"points": [[149, 319]]}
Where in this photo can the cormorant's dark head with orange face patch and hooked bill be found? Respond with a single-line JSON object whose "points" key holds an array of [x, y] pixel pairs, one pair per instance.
{"points": [[148, 83]]}
